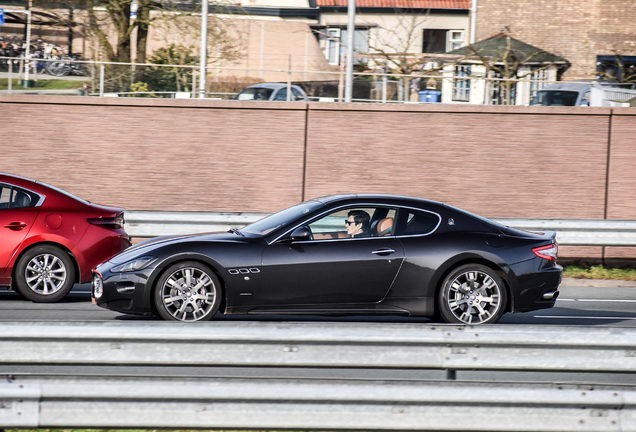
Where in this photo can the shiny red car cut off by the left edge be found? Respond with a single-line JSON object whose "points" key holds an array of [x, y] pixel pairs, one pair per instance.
{"points": [[51, 239]]}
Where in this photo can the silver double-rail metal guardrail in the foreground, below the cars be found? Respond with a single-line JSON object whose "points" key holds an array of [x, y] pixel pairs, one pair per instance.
{"points": [[302, 404]]}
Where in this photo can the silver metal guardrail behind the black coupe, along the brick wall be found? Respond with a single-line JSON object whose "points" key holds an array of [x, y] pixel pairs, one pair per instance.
{"points": [[570, 232]]}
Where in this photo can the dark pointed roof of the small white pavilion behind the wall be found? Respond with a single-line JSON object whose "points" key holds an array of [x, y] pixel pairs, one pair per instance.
{"points": [[496, 46]]}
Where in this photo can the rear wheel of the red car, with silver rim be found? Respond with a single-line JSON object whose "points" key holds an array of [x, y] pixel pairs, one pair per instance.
{"points": [[45, 274]]}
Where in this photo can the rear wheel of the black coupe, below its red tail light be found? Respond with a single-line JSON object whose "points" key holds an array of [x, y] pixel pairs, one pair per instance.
{"points": [[472, 294]]}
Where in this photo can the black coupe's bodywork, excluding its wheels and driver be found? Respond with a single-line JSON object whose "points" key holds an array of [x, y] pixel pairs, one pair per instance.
{"points": [[400, 273]]}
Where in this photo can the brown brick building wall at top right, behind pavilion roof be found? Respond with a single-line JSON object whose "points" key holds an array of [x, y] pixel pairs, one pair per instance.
{"points": [[575, 29]]}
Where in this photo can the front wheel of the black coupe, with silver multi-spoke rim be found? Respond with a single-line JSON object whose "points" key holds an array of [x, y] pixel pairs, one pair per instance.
{"points": [[188, 291]]}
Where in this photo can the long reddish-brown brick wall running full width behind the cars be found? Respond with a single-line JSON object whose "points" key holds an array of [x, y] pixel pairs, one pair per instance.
{"points": [[529, 162]]}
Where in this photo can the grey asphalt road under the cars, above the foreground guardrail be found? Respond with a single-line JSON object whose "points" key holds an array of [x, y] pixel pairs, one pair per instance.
{"points": [[584, 303]]}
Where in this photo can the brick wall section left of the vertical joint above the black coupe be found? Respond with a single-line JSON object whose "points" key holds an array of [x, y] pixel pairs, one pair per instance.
{"points": [[156, 155]]}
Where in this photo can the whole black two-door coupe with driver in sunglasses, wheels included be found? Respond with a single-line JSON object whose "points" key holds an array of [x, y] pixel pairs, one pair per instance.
{"points": [[407, 256]]}
